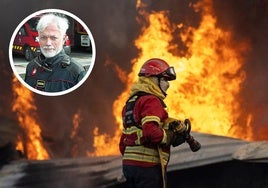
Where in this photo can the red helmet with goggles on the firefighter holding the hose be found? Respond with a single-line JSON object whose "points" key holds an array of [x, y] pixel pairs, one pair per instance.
{"points": [[157, 67]]}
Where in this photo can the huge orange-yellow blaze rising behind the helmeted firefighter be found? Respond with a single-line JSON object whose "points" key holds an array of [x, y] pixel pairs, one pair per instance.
{"points": [[208, 80]]}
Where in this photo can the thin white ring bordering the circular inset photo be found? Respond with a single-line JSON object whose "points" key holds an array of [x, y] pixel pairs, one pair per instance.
{"points": [[92, 58]]}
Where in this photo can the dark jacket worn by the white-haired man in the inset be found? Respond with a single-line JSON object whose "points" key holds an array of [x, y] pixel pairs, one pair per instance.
{"points": [[53, 74]]}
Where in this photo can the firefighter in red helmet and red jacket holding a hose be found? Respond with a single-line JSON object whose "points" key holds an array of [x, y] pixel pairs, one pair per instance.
{"points": [[148, 131]]}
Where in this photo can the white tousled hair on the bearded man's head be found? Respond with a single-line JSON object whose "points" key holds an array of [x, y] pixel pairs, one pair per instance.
{"points": [[61, 22]]}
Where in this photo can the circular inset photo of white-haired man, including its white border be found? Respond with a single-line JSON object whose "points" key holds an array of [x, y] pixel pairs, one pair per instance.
{"points": [[52, 52]]}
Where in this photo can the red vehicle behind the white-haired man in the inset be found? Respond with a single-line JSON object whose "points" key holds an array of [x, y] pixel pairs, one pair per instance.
{"points": [[26, 40]]}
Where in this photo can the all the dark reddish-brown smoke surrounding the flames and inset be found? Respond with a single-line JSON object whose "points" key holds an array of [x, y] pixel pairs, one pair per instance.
{"points": [[114, 27]]}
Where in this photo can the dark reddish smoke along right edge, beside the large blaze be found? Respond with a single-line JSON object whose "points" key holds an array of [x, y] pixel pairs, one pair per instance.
{"points": [[249, 22]]}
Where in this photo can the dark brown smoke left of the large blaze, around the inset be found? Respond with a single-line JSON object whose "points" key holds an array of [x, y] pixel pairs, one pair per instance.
{"points": [[113, 29]]}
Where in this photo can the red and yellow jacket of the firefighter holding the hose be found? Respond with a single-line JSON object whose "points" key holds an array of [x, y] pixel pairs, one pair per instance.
{"points": [[139, 143]]}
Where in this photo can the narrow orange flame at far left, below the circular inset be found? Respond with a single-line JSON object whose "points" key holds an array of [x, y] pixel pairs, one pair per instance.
{"points": [[31, 142]]}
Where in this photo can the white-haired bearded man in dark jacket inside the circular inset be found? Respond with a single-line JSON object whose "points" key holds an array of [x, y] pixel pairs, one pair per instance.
{"points": [[53, 70]]}
